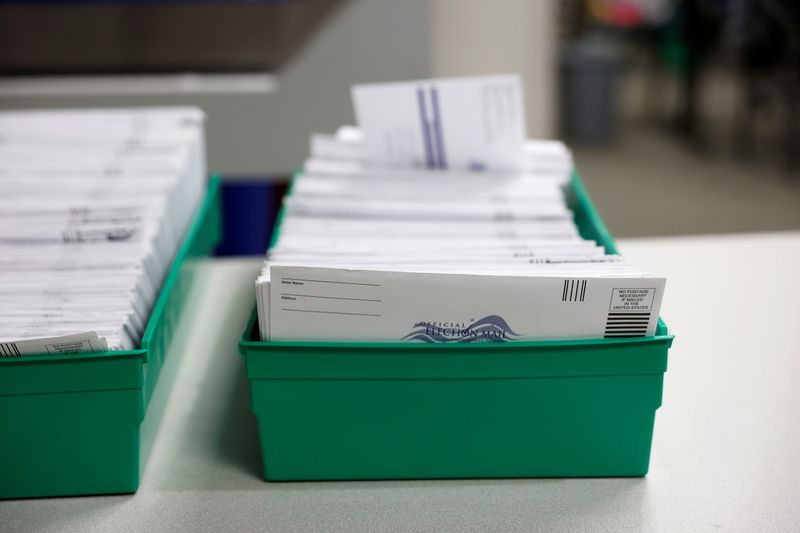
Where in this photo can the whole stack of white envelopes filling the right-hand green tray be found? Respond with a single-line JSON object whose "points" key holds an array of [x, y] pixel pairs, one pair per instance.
{"points": [[450, 227]]}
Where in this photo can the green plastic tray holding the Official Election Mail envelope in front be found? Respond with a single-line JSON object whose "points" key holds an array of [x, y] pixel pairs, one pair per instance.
{"points": [[397, 411]]}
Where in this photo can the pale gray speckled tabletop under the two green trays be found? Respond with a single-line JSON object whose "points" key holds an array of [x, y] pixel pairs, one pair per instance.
{"points": [[726, 450]]}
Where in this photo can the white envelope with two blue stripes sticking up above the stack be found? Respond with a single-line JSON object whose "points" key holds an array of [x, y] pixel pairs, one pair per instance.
{"points": [[468, 123]]}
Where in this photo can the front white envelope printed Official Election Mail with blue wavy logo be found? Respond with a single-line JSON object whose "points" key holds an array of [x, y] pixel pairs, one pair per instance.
{"points": [[345, 305]]}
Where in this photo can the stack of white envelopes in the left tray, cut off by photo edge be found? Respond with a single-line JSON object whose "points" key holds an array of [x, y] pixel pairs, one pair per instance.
{"points": [[96, 204]]}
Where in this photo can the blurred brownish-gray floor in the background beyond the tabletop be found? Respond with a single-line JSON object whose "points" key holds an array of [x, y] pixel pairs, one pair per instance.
{"points": [[650, 182]]}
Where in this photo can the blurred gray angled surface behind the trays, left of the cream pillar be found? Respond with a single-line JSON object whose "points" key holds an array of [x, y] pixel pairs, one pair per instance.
{"points": [[267, 132]]}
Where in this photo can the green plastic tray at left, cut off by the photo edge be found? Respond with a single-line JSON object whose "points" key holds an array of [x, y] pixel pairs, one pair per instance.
{"points": [[83, 424]]}
